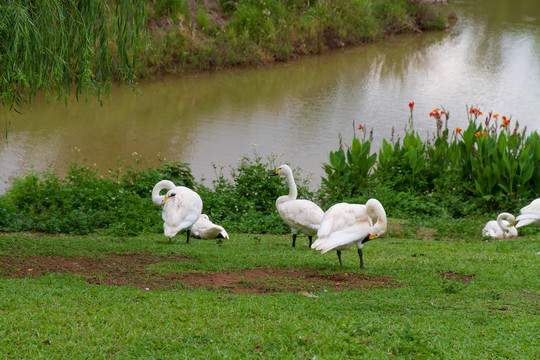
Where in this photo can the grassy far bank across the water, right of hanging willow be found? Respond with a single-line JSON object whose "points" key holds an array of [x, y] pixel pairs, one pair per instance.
{"points": [[189, 35]]}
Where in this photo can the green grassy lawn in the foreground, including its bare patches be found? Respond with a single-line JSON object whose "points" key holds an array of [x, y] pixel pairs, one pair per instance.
{"points": [[254, 296]]}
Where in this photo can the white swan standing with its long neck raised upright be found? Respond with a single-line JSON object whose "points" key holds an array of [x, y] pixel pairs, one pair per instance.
{"points": [[301, 215]]}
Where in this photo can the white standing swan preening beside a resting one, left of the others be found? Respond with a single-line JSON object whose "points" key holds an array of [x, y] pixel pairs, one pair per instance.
{"points": [[181, 207]]}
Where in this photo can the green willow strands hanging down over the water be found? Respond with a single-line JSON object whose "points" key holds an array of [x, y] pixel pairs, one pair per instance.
{"points": [[60, 47]]}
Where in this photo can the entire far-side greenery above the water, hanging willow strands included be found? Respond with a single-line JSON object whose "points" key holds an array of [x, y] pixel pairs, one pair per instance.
{"points": [[57, 48]]}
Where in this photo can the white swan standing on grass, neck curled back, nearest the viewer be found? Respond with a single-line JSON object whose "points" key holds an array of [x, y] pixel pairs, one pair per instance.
{"points": [[344, 225]]}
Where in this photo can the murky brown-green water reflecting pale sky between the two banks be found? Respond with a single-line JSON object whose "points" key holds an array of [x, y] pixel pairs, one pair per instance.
{"points": [[298, 110]]}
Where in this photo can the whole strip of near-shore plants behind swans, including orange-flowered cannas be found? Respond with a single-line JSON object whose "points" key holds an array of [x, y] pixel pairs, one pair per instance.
{"points": [[454, 181]]}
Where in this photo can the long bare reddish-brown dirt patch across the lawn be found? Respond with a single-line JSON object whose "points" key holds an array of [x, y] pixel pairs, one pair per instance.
{"points": [[132, 270]]}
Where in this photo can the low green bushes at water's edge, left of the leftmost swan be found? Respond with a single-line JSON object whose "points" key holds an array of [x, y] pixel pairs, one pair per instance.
{"points": [[84, 201]]}
